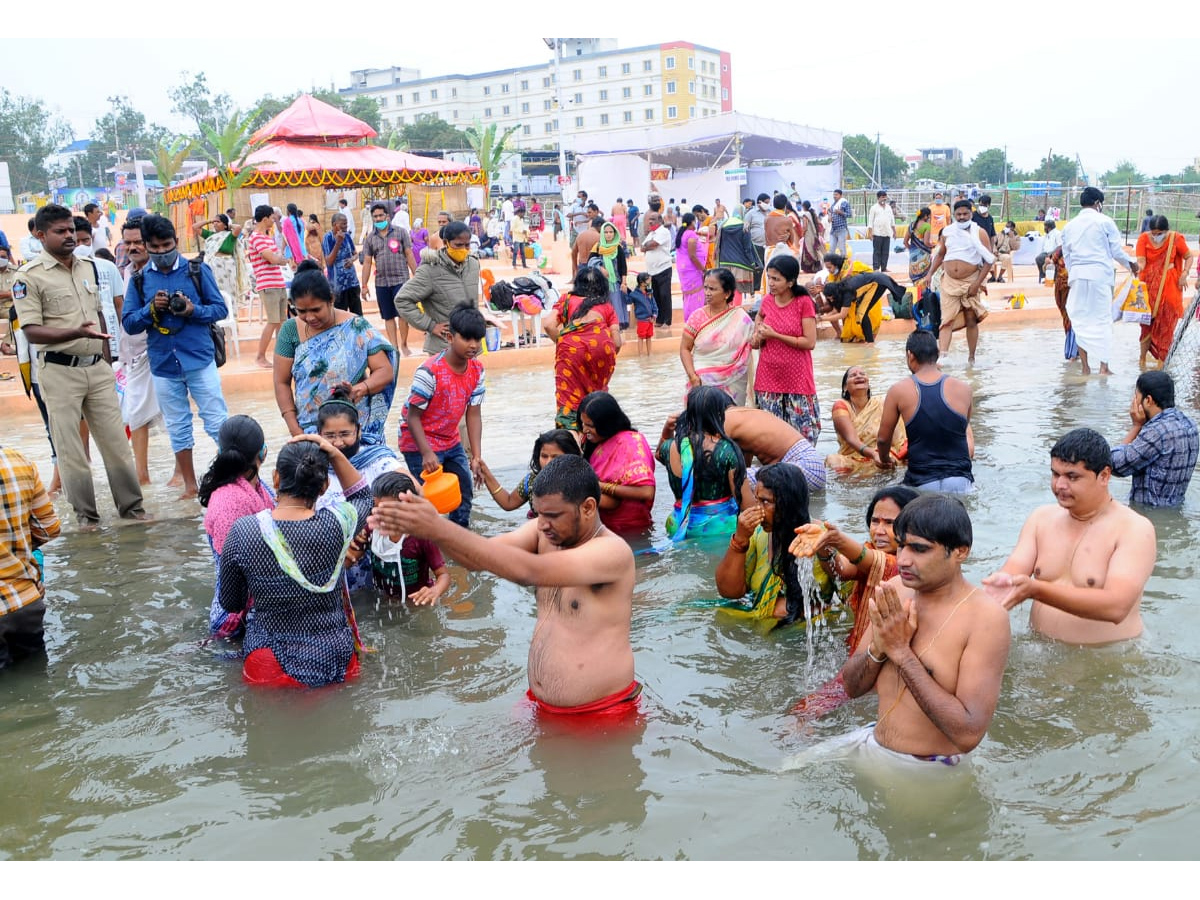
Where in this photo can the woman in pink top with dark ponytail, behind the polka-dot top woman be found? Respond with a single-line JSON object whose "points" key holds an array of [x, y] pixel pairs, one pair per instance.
{"points": [[230, 490]]}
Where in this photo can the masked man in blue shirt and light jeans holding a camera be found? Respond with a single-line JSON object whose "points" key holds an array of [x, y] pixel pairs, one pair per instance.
{"points": [[176, 308]]}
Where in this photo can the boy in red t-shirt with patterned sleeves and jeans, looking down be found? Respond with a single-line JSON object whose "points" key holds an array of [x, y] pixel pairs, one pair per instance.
{"points": [[445, 388]]}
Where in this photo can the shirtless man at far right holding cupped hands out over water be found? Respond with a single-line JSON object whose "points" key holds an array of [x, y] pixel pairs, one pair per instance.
{"points": [[1084, 562]]}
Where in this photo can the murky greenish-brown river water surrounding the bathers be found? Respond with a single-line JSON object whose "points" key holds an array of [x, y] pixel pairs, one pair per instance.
{"points": [[133, 741]]}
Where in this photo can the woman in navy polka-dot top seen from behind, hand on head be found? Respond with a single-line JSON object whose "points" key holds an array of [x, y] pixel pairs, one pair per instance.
{"points": [[291, 561]]}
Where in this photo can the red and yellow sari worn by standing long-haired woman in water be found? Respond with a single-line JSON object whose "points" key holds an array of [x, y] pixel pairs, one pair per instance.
{"points": [[585, 358]]}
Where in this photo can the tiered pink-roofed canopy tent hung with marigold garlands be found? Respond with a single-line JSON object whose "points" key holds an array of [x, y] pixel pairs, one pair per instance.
{"points": [[311, 154]]}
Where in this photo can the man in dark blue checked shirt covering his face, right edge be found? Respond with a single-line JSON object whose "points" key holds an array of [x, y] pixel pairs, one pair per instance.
{"points": [[1162, 446]]}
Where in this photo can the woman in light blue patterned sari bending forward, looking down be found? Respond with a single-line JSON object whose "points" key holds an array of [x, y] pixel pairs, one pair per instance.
{"points": [[323, 349]]}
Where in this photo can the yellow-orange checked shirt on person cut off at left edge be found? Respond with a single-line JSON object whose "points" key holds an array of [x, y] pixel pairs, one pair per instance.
{"points": [[29, 523]]}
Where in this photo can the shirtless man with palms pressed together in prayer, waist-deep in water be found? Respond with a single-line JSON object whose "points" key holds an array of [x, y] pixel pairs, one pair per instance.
{"points": [[935, 661]]}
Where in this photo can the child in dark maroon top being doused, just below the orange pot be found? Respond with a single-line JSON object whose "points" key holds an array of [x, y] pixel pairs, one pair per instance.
{"points": [[413, 569]]}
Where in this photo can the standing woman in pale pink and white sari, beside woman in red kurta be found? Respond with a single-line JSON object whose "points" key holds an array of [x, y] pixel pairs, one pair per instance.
{"points": [[716, 346]]}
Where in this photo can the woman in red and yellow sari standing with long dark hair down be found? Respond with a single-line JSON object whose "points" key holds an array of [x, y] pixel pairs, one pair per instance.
{"points": [[587, 339]]}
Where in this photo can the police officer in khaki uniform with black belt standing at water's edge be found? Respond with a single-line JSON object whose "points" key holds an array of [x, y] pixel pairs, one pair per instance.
{"points": [[58, 303]]}
